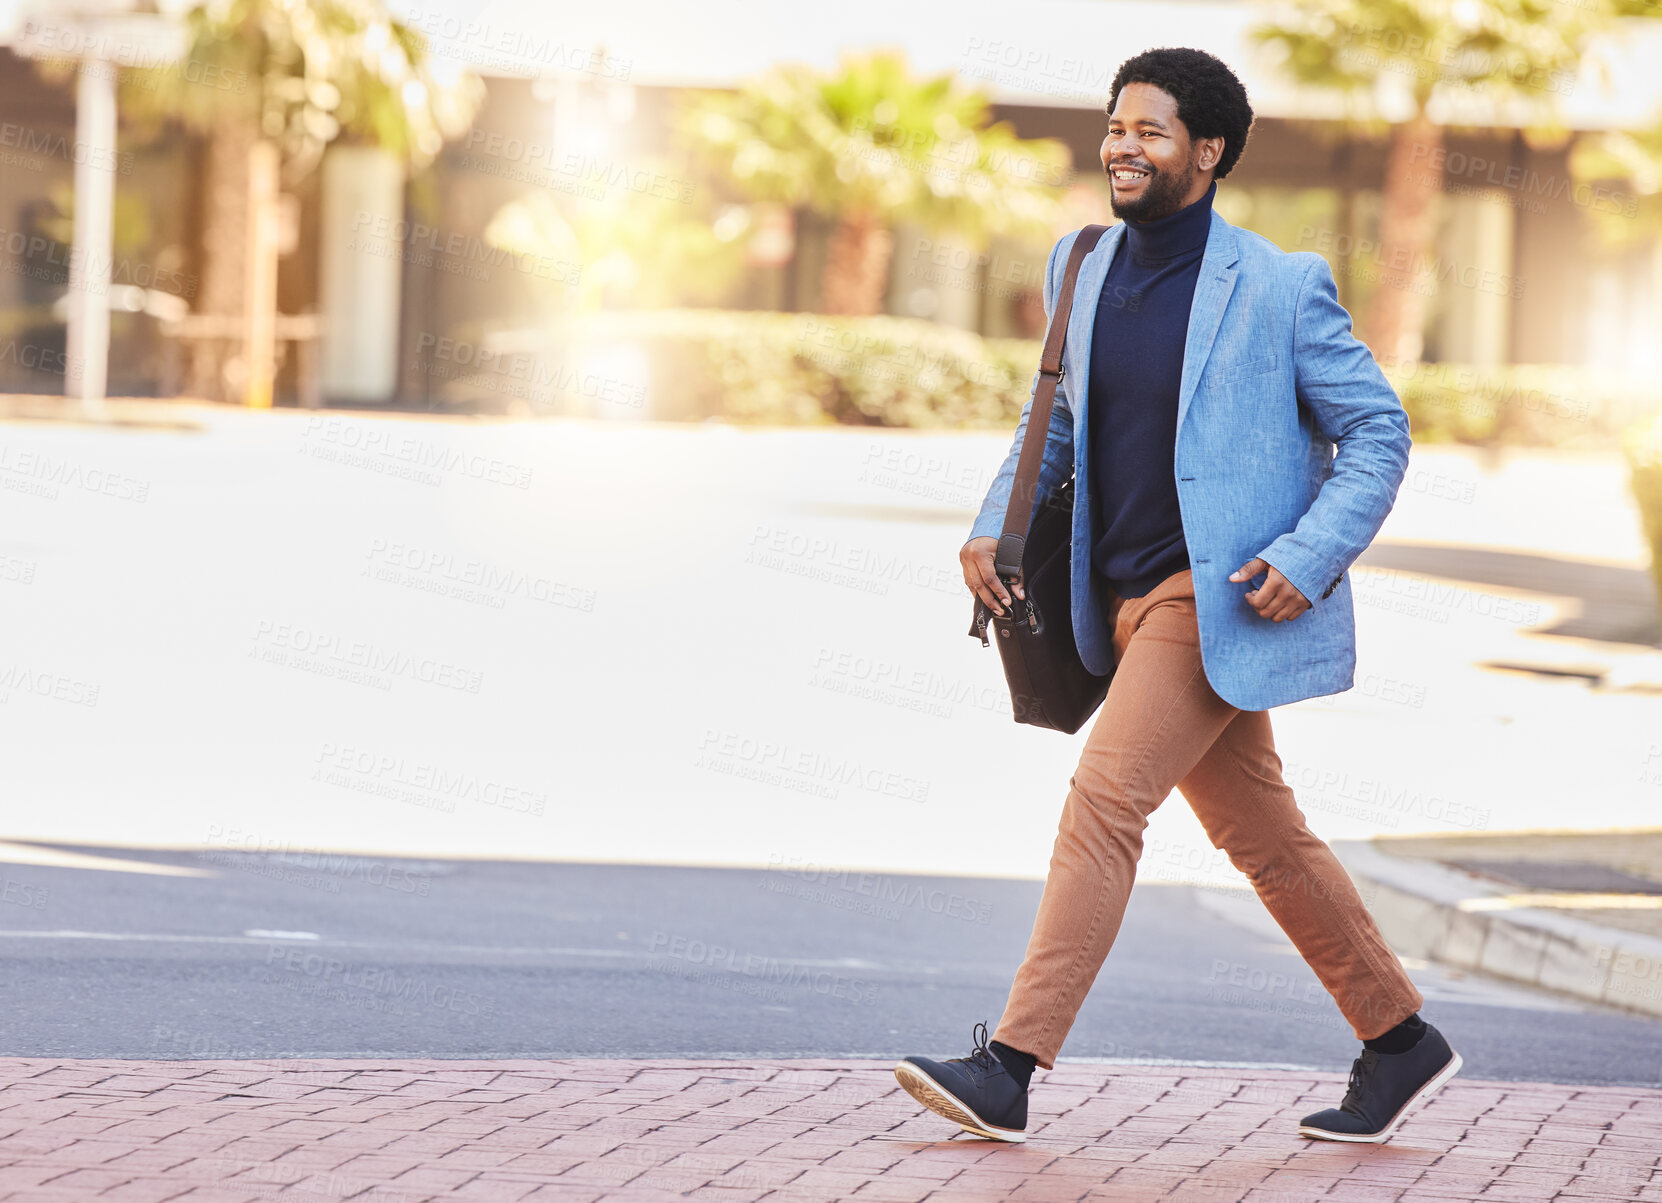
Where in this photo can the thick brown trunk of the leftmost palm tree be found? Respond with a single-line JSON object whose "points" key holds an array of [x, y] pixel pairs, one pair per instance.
{"points": [[215, 361]]}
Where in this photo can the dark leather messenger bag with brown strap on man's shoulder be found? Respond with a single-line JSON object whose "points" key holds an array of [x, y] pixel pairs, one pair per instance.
{"points": [[1050, 684]]}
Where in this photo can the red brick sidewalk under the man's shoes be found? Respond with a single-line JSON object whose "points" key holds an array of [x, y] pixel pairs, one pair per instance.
{"points": [[398, 1132]]}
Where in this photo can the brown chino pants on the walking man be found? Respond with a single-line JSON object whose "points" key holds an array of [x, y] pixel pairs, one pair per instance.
{"points": [[1163, 725]]}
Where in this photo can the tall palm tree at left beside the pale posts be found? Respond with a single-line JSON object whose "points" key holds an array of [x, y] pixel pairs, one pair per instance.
{"points": [[287, 79]]}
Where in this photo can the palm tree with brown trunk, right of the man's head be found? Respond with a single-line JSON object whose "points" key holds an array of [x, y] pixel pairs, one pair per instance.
{"points": [[1518, 56]]}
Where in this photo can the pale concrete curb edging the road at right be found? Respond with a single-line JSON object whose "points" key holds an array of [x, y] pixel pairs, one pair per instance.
{"points": [[1427, 911]]}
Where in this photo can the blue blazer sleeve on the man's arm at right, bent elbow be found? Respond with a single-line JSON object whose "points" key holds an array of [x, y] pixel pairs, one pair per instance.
{"points": [[1352, 403]]}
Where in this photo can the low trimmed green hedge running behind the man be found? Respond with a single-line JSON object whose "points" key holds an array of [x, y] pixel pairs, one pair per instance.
{"points": [[772, 368]]}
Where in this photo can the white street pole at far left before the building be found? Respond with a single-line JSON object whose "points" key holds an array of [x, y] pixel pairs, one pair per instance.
{"points": [[86, 375]]}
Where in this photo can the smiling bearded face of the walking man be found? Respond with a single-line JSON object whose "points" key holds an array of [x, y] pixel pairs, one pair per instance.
{"points": [[1153, 164]]}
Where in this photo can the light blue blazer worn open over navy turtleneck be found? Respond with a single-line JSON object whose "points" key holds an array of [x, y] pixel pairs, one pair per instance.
{"points": [[1291, 446]]}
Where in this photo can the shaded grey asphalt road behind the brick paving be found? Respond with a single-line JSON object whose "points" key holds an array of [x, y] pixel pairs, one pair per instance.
{"points": [[337, 956]]}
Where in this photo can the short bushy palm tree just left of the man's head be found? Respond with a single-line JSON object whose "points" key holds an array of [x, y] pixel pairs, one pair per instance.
{"points": [[873, 147]]}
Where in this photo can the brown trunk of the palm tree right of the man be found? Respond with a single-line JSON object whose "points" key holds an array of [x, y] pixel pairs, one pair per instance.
{"points": [[1409, 225]]}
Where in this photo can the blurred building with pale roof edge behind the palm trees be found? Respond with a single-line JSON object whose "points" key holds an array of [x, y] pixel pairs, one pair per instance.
{"points": [[1527, 275]]}
